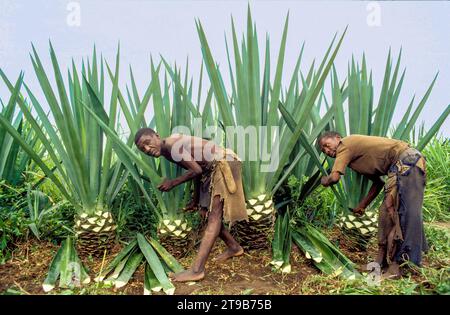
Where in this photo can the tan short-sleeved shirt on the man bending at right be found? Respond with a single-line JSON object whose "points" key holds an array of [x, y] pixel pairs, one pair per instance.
{"points": [[367, 155]]}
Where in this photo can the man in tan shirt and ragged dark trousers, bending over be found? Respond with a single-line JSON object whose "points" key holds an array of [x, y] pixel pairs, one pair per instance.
{"points": [[400, 228]]}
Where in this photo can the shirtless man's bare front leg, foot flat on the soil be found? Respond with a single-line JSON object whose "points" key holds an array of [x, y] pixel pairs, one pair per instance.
{"points": [[197, 271]]}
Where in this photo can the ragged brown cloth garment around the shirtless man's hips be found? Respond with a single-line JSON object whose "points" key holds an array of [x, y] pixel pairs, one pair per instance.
{"points": [[223, 178]]}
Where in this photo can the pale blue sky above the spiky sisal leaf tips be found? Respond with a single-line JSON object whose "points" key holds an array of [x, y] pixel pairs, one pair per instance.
{"points": [[168, 27]]}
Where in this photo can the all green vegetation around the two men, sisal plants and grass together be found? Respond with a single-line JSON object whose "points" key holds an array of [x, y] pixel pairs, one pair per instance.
{"points": [[73, 184]]}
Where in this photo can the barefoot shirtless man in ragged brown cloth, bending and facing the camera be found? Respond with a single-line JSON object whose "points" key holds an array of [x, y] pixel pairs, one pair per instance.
{"points": [[218, 189]]}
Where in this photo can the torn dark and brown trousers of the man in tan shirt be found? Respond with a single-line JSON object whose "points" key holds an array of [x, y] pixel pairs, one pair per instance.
{"points": [[400, 227]]}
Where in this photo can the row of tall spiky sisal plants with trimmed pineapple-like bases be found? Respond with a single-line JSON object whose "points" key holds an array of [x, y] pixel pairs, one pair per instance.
{"points": [[70, 142]]}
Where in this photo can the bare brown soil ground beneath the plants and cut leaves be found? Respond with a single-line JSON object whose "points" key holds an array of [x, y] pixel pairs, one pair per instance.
{"points": [[247, 274]]}
